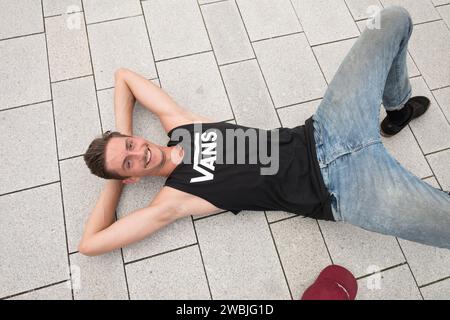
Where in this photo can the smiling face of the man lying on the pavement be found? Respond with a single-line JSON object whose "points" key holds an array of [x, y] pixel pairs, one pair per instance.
{"points": [[132, 156]]}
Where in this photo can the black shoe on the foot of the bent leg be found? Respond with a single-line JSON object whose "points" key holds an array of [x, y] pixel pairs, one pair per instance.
{"points": [[418, 105]]}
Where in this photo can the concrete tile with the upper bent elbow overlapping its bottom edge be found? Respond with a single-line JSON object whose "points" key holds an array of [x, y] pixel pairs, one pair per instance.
{"points": [[120, 43]]}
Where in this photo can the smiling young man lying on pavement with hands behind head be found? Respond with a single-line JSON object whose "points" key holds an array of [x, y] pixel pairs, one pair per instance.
{"points": [[334, 167]]}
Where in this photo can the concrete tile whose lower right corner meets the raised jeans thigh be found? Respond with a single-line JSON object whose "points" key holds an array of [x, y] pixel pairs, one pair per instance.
{"points": [[290, 69]]}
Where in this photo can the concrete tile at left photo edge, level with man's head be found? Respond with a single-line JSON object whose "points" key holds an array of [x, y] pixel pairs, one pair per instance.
{"points": [[27, 141]]}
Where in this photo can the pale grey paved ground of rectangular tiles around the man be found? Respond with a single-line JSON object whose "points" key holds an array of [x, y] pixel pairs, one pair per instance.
{"points": [[261, 63]]}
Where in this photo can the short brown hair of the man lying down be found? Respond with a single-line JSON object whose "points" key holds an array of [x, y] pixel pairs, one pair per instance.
{"points": [[95, 156]]}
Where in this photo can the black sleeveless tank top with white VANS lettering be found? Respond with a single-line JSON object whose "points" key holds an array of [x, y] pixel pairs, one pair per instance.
{"points": [[297, 186]]}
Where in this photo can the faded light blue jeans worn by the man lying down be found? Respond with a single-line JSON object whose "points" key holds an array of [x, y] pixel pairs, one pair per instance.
{"points": [[370, 188]]}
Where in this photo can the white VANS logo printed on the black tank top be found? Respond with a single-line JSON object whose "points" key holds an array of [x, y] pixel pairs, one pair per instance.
{"points": [[207, 149]]}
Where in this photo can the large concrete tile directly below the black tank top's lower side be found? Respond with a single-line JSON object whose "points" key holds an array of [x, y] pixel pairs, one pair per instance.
{"points": [[239, 250]]}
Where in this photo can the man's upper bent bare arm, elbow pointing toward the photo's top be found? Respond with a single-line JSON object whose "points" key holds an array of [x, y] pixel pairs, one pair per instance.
{"points": [[130, 86]]}
